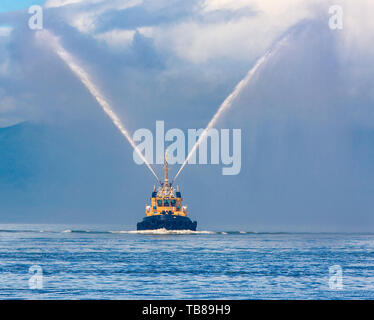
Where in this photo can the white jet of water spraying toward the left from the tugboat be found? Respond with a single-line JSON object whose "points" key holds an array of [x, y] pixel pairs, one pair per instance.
{"points": [[84, 77]]}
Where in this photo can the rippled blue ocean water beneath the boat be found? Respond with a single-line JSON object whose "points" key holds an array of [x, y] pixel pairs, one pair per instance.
{"points": [[104, 262]]}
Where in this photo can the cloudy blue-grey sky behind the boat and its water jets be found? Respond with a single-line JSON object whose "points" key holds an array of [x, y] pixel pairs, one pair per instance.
{"points": [[307, 117]]}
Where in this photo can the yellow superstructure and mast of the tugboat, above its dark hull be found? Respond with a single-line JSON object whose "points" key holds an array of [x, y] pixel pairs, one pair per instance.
{"points": [[166, 200]]}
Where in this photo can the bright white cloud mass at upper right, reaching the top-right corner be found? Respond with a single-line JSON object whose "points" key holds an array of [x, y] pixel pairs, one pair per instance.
{"points": [[205, 37]]}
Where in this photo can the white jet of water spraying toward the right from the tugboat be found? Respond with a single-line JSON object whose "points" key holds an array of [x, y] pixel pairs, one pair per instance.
{"points": [[227, 103]]}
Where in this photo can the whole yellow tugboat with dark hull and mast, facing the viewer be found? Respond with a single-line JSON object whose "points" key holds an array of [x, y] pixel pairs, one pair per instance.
{"points": [[166, 210]]}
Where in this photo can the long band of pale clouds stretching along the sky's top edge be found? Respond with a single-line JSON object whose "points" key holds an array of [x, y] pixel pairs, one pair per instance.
{"points": [[223, 29]]}
